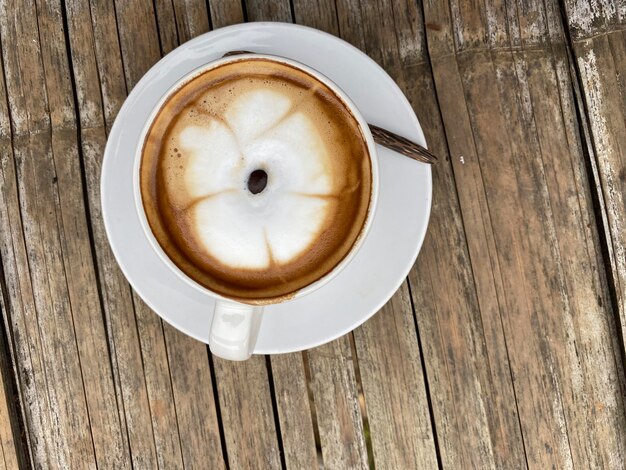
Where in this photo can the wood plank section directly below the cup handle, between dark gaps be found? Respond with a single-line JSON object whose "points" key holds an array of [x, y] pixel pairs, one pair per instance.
{"points": [[247, 414]]}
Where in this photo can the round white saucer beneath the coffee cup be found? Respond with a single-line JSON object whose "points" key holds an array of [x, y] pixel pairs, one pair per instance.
{"points": [[390, 249]]}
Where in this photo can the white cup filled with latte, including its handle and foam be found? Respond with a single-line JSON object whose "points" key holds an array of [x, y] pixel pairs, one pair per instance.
{"points": [[256, 181]]}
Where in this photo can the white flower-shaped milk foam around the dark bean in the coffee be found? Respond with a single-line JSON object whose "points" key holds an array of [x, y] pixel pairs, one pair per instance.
{"points": [[261, 128]]}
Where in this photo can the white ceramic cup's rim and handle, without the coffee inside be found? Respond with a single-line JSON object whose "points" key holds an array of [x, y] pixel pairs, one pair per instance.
{"points": [[235, 325]]}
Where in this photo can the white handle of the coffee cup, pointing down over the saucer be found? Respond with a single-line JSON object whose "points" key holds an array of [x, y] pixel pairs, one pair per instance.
{"points": [[234, 329]]}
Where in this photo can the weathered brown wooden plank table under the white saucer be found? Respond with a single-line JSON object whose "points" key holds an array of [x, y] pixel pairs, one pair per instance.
{"points": [[505, 346]]}
